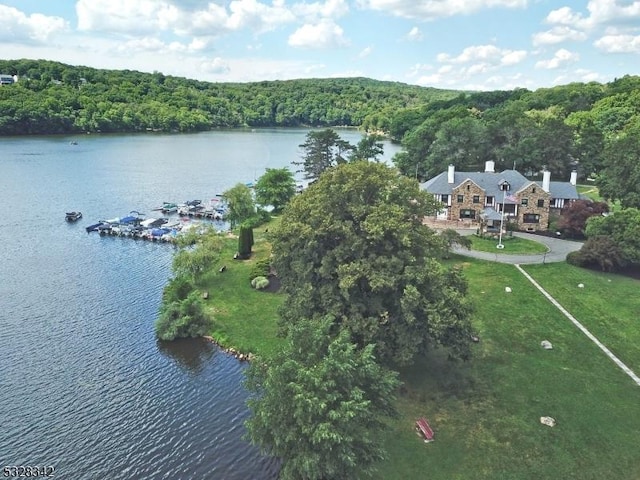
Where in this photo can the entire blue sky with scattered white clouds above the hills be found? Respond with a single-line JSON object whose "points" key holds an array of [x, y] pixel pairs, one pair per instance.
{"points": [[457, 44]]}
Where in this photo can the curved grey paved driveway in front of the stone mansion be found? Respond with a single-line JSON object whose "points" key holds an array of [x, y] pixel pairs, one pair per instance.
{"points": [[557, 250]]}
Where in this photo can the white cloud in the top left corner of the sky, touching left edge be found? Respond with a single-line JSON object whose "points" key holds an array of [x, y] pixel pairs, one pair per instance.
{"points": [[18, 27]]}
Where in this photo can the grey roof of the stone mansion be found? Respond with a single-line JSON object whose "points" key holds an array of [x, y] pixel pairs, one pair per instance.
{"points": [[490, 182]]}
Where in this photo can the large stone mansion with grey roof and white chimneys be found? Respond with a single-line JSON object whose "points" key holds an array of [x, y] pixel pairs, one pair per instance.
{"points": [[484, 197]]}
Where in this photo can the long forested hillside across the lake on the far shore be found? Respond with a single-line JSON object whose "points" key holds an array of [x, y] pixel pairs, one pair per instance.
{"points": [[52, 97]]}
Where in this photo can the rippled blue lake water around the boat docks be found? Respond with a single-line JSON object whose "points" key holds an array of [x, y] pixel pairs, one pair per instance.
{"points": [[84, 385]]}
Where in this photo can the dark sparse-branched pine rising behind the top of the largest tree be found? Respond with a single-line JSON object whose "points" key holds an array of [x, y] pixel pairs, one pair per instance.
{"points": [[321, 150]]}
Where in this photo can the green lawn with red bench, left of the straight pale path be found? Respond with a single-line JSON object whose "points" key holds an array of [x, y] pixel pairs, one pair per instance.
{"points": [[486, 412]]}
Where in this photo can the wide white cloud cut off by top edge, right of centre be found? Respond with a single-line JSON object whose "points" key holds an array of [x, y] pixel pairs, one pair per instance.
{"points": [[432, 9]]}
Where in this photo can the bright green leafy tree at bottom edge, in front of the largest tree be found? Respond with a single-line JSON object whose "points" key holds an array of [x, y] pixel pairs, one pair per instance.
{"points": [[320, 403]]}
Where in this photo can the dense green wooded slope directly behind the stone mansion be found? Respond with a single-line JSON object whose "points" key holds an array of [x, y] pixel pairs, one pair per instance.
{"points": [[593, 128]]}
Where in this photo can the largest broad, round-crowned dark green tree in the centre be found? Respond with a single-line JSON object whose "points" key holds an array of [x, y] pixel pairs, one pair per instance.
{"points": [[353, 246]]}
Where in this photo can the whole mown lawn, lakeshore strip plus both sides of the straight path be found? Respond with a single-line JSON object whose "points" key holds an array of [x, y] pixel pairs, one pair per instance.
{"points": [[485, 413]]}
